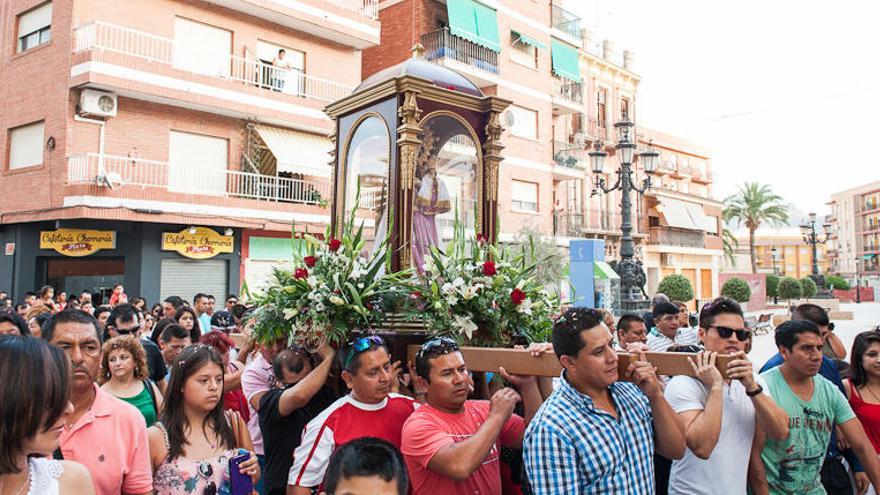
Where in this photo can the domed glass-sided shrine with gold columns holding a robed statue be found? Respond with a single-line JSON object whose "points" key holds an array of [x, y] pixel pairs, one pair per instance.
{"points": [[419, 146]]}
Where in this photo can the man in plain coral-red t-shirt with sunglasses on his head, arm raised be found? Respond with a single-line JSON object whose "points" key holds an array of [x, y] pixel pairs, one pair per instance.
{"points": [[452, 445]]}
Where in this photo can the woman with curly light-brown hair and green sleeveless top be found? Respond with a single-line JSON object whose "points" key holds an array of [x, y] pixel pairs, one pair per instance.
{"points": [[124, 375]]}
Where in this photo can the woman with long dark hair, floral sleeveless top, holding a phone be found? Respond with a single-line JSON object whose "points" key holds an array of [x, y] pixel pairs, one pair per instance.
{"points": [[191, 445]]}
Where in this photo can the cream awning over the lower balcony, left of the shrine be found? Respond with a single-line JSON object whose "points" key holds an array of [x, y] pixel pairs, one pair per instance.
{"points": [[297, 152]]}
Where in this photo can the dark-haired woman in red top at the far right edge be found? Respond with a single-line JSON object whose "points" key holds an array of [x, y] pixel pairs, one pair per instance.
{"points": [[863, 389]]}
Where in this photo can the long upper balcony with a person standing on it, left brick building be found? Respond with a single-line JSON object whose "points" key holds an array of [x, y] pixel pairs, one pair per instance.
{"points": [[144, 66]]}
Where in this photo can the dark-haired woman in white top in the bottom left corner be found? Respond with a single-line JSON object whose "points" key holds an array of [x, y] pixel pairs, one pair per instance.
{"points": [[34, 407]]}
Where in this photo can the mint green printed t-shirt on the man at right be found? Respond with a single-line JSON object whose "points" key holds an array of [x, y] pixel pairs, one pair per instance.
{"points": [[793, 465]]}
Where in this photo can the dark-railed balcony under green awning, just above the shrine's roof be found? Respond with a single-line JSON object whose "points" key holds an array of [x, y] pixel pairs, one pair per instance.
{"points": [[475, 61]]}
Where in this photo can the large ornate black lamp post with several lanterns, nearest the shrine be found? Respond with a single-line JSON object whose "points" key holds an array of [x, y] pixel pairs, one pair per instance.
{"points": [[631, 300]]}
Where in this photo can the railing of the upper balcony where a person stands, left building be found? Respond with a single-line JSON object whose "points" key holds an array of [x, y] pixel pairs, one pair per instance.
{"points": [[195, 59]]}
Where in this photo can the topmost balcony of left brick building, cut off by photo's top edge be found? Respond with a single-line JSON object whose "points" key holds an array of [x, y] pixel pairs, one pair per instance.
{"points": [[353, 23]]}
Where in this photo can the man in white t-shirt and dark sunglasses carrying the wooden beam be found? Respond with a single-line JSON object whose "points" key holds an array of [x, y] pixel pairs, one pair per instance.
{"points": [[720, 413]]}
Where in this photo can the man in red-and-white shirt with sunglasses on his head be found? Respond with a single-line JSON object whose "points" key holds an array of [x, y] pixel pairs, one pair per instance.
{"points": [[370, 410]]}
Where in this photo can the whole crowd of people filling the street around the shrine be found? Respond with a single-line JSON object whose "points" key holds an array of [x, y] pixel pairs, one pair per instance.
{"points": [[121, 398]]}
